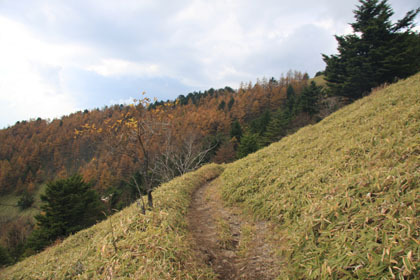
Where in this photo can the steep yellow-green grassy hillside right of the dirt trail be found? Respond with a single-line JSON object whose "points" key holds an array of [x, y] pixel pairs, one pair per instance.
{"points": [[345, 192]]}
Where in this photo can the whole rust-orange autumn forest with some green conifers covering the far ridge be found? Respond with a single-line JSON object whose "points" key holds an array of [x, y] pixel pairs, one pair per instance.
{"points": [[123, 151]]}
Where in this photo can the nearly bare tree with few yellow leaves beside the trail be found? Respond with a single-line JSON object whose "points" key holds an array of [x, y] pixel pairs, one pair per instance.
{"points": [[147, 137]]}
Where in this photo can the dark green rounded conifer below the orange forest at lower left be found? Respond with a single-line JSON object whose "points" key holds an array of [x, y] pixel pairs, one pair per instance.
{"points": [[69, 206]]}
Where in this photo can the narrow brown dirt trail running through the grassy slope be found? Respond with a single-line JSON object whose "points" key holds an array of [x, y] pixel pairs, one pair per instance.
{"points": [[232, 244]]}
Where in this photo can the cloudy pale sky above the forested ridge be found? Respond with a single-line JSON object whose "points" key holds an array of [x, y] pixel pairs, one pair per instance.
{"points": [[58, 57]]}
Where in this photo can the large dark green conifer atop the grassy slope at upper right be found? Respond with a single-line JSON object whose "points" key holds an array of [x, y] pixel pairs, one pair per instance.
{"points": [[377, 52]]}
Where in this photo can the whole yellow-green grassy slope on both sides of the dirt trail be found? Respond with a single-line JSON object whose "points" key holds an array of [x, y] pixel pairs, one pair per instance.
{"points": [[344, 194]]}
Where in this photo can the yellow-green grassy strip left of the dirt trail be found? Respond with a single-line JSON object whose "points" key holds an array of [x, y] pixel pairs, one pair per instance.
{"points": [[151, 246]]}
